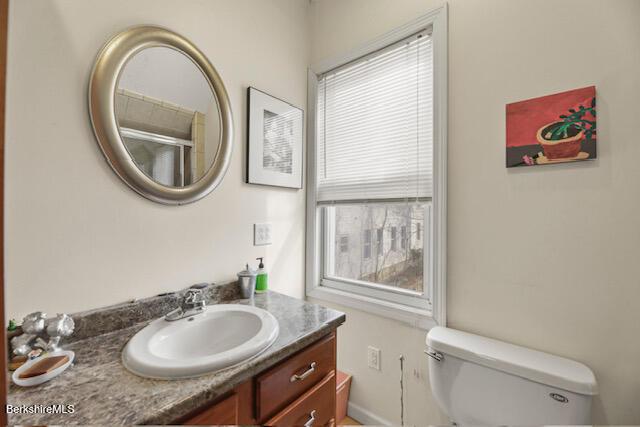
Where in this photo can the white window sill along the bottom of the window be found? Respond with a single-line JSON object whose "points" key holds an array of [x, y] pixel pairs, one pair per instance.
{"points": [[411, 316]]}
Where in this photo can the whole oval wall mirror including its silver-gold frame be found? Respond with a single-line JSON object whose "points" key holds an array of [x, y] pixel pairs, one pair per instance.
{"points": [[161, 115]]}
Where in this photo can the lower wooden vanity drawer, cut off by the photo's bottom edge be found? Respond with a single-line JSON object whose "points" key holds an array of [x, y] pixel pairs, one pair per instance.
{"points": [[317, 407]]}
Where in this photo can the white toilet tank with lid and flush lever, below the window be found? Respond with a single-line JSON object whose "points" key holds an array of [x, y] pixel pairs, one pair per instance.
{"points": [[482, 381]]}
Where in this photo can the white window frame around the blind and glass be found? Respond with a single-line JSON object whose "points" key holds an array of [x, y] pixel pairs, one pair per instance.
{"points": [[433, 312]]}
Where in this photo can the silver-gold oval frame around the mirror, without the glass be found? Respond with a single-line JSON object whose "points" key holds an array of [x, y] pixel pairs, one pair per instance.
{"points": [[102, 89]]}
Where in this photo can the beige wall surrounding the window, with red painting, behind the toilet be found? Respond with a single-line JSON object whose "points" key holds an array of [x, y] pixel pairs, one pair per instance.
{"points": [[544, 257]]}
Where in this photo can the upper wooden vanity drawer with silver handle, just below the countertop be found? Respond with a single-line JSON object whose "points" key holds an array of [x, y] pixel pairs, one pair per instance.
{"points": [[283, 383]]}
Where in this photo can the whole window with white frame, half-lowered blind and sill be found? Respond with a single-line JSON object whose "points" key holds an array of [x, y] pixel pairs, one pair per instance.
{"points": [[377, 164]]}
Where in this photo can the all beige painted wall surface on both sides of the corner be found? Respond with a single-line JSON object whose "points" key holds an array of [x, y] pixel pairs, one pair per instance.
{"points": [[544, 257]]}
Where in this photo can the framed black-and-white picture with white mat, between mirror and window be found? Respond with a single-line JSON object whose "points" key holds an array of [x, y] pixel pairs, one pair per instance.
{"points": [[274, 152]]}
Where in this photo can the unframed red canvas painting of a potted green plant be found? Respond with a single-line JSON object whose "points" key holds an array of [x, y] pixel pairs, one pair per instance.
{"points": [[552, 129]]}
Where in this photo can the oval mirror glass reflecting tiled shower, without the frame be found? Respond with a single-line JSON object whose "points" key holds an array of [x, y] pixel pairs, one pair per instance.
{"points": [[168, 117]]}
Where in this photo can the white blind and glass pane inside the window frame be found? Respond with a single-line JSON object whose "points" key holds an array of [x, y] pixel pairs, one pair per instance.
{"points": [[375, 165]]}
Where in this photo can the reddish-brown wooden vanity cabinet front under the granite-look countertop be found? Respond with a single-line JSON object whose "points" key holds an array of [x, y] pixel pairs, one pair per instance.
{"points": [[299, 391]]}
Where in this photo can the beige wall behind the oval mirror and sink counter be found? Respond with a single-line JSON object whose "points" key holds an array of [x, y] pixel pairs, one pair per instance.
{"points": [[77, 237]]}
